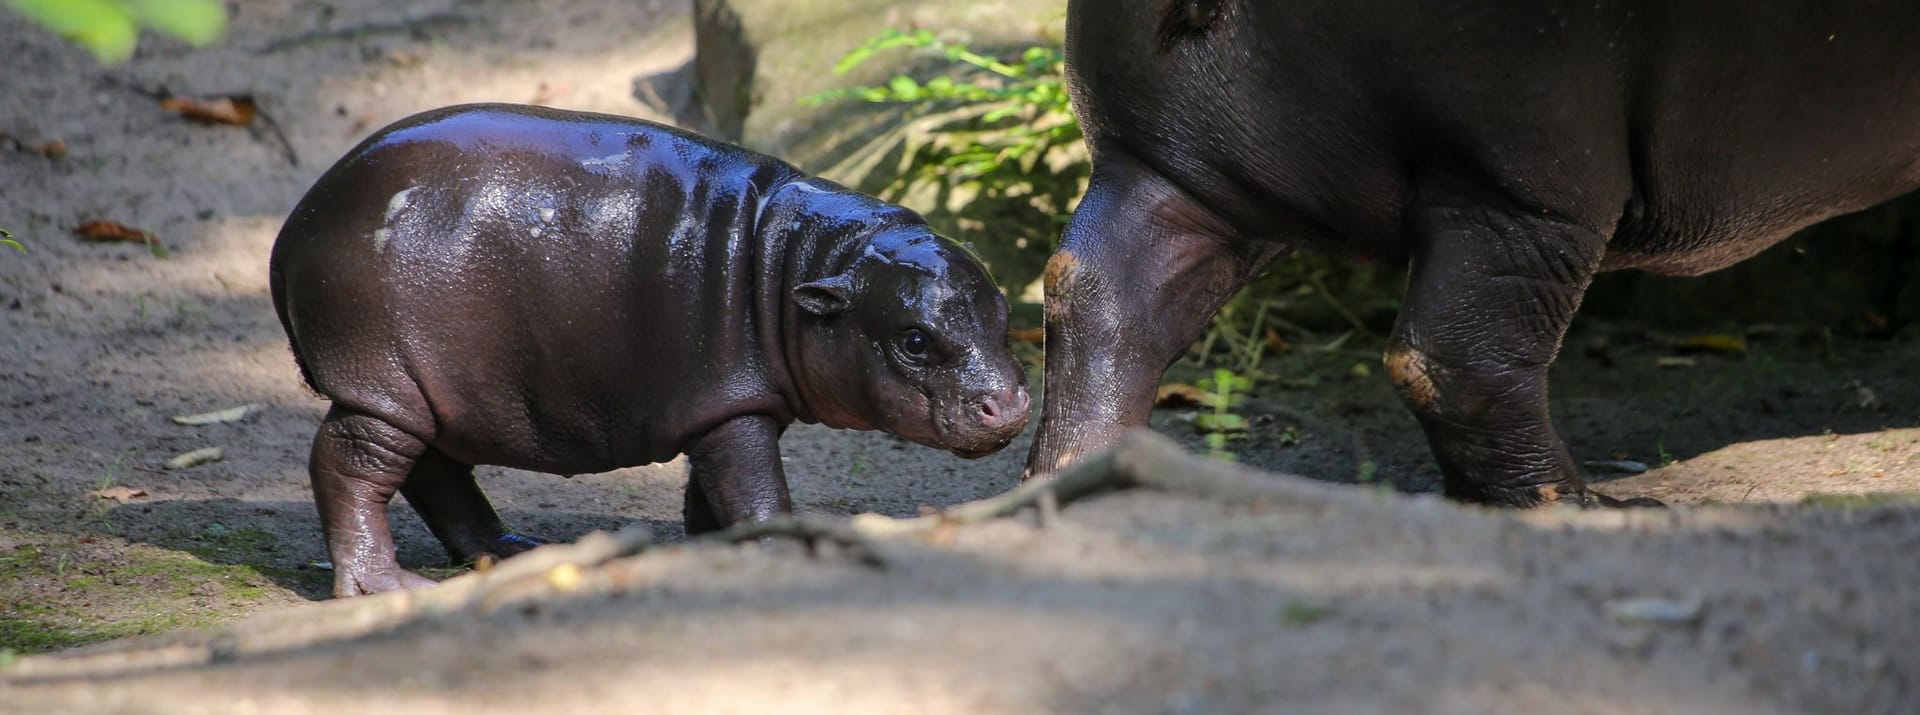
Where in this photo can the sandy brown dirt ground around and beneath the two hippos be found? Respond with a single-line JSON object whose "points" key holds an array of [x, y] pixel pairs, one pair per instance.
{"points": [[1790, 551]]}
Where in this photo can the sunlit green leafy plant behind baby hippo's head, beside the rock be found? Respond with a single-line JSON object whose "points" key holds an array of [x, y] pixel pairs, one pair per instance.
{"points": [[986, 147]]}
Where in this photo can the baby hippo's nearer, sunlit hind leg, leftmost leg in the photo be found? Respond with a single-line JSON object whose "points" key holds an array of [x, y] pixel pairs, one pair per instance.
{"points": [[358, 464]]}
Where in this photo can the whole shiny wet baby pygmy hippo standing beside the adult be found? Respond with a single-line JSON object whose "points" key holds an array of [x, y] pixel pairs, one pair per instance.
{"points": [[575, 293]]}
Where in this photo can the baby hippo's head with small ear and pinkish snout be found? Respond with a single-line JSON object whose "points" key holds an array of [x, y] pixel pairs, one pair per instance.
{"points": [[911, 339]]}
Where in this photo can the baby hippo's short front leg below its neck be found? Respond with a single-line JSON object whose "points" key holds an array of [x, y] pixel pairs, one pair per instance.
{"points": [[736, 476]]}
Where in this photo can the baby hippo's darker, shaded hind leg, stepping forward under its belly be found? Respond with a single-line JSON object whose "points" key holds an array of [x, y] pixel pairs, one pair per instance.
{"points": [[460, 516]]}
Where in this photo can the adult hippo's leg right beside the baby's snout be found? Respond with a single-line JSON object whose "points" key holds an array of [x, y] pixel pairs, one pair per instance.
{"points": [[1140, 272]]}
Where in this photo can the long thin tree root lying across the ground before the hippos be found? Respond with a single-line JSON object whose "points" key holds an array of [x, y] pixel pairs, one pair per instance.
{"points": [[1140, 460]]}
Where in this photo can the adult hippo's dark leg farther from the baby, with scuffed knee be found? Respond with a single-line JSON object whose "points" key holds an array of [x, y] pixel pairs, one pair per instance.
{"points": [[1489, 301]]}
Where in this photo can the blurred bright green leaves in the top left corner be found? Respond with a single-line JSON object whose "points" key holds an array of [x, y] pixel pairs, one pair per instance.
{"points": [[110, 30]]}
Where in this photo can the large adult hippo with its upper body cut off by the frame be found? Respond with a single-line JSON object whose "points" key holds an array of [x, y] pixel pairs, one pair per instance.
{"points": [[1502, 151]]}
